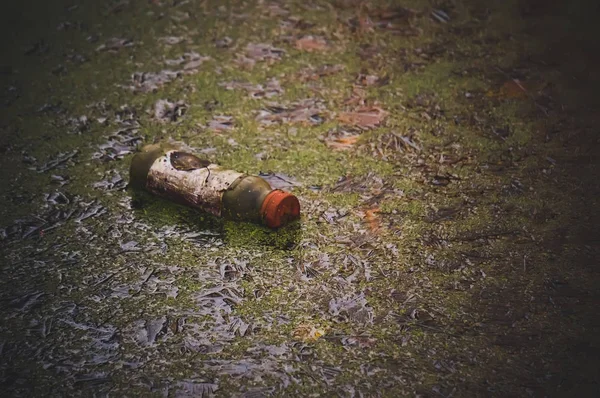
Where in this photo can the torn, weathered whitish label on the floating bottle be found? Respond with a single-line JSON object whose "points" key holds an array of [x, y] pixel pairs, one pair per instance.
{"points": [[201, 188]]}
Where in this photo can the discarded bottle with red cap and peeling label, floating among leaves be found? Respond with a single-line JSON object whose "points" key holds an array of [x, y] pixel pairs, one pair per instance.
{"points": [[184, 178]]}
